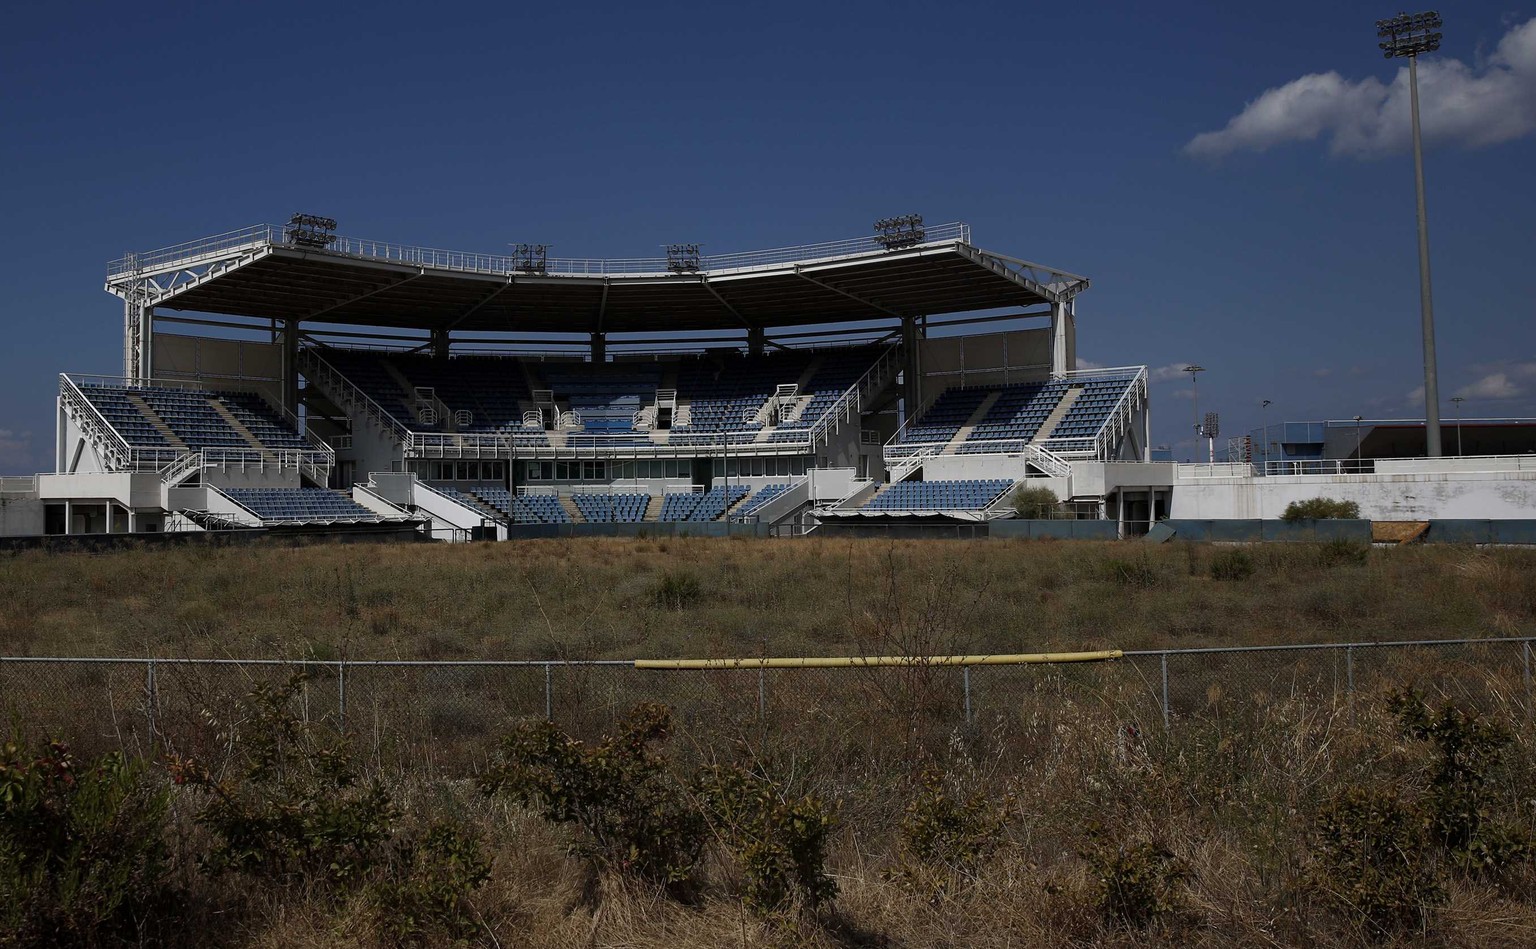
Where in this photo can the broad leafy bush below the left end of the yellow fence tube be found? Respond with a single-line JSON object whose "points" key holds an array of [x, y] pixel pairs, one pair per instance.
{"points": [[634, 816]]}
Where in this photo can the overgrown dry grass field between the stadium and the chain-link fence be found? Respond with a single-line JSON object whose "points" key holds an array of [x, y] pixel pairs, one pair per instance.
{"points": [[598, 598]]}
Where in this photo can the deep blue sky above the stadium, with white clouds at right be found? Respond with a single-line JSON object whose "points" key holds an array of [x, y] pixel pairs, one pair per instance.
{"points": [[1277, 253]]}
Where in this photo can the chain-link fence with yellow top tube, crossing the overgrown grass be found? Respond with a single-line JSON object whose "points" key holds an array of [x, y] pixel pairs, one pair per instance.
{"points": [[448, 716]]}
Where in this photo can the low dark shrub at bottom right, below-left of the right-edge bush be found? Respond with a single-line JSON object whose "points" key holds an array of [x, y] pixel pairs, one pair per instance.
{"points": [[1372, 861]]}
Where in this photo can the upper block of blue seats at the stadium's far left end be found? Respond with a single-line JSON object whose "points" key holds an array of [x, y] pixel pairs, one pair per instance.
{"points": [[191, 415]]}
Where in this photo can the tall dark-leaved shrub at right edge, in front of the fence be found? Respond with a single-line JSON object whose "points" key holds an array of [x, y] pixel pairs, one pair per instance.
{"points": [[1462, 810]]}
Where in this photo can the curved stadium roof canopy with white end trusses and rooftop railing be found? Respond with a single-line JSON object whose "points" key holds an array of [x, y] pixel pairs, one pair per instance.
{"points": [[271, 273]]}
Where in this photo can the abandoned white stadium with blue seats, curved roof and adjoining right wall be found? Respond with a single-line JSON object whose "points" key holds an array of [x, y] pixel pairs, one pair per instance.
{"points": [[288, 379]]}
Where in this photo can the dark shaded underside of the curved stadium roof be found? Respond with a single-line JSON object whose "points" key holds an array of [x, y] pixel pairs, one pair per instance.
{"points": [[325, 288]]}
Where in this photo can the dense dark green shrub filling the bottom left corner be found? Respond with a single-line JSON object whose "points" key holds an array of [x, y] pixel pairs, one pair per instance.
{"points": [[84, 858]]}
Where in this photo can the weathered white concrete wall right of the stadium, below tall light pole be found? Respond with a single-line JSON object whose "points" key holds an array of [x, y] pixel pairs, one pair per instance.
{"points": [[1475, 495]]}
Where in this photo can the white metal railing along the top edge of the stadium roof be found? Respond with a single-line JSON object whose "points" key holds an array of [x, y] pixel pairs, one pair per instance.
{"points": [[503, 265]]}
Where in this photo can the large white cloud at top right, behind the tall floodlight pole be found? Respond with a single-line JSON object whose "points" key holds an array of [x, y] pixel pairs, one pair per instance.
{"points": [[1471, 107]]}
